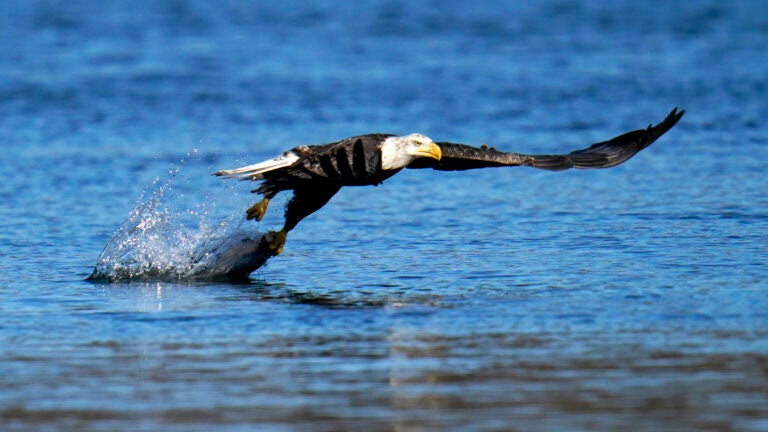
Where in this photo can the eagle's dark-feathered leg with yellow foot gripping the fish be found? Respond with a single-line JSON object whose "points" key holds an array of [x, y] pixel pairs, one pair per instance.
{"points": [[304, 203]]}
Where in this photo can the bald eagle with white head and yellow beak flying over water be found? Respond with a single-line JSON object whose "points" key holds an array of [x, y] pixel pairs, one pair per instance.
{"points": [[315, 173]]}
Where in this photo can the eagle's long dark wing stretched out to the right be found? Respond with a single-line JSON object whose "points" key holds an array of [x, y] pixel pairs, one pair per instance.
{"points": [[604, 154]]}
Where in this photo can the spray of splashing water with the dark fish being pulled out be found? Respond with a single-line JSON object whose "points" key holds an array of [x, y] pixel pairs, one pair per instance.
{"points": [[164, 239]]}
